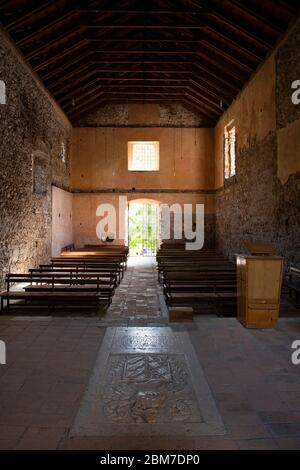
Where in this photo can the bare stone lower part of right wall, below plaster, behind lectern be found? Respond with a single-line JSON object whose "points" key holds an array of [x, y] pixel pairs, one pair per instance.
{"points": [[246, 206]]}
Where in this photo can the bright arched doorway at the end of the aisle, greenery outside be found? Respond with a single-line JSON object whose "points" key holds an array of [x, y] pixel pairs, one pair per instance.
{"points": [[143, 227]]}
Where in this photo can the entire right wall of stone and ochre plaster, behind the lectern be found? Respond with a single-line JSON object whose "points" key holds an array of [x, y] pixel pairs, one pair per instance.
{"points": [[262, 201]]}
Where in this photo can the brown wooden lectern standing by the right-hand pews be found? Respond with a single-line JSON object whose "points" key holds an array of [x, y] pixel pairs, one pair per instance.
{"points": [[259, 279]]}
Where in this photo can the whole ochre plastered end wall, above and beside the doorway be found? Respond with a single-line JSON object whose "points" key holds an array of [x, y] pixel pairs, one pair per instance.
{"points": [[100, 162]]}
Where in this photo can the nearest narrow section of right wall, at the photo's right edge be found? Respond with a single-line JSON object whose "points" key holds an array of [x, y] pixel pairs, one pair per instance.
{"points": [[287, 223]]}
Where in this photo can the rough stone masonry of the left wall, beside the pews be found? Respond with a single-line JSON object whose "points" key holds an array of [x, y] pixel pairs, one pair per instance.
{"points": [[32, 130]]}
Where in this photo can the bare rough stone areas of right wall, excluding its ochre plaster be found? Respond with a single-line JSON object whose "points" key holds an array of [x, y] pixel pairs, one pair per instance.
{"points": [[256, 204]]}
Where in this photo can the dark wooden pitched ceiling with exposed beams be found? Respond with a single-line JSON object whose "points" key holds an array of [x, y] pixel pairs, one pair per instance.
{"points": [[200, 53]]}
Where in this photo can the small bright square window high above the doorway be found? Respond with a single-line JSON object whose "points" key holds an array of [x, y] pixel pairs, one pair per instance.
{"points": [[143, 156]]}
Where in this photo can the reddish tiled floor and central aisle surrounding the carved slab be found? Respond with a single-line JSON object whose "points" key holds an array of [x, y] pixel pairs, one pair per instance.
{"points": [[50, 361]]}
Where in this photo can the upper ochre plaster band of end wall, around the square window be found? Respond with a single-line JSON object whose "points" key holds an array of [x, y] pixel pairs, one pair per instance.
{"points": [[100, 159]]}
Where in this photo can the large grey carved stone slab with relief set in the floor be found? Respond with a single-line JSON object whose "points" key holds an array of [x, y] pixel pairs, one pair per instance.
{"points": [[147, 381]]}
